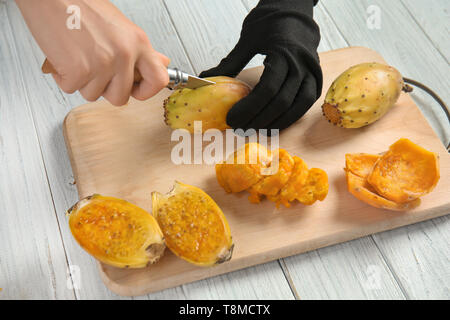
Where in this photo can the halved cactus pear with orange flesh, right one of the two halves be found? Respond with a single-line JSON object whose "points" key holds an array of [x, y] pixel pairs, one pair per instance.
{"points": [[194, 226]]}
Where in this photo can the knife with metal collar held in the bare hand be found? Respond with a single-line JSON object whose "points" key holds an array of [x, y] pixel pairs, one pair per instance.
{"points": [[177, 78]]}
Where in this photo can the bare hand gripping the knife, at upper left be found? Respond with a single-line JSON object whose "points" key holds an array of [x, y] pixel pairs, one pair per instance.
{"points": [[98, 59]]}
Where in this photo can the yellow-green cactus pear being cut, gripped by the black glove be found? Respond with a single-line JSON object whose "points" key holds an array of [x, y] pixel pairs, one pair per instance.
{"points": [[209, 104]]}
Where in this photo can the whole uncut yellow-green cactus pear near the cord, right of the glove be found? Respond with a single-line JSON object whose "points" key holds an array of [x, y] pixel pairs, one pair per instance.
{"points": [[362, 94]]}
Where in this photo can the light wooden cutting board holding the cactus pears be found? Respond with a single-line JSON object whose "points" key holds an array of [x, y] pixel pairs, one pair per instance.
{"points": [[125, 152]]}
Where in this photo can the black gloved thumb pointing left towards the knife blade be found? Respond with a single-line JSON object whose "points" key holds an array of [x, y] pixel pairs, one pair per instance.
{"points": [[232, 64]]}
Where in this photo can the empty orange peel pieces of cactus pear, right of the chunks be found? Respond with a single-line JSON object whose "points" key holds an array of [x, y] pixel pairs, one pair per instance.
{"points": [[394, 180]]}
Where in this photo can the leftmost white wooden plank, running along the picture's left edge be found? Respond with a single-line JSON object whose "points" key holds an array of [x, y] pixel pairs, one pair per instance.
{"points": [[32, 260]]}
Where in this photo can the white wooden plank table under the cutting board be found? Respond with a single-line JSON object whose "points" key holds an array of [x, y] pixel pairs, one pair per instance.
{"points": [[36, 184]]}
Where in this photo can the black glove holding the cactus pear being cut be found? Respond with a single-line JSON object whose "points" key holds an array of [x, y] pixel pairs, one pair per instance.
{"points": [[286, 33]]}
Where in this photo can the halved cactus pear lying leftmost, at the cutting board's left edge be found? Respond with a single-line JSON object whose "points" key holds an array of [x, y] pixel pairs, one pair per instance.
{"points": [[116, 232]]}
